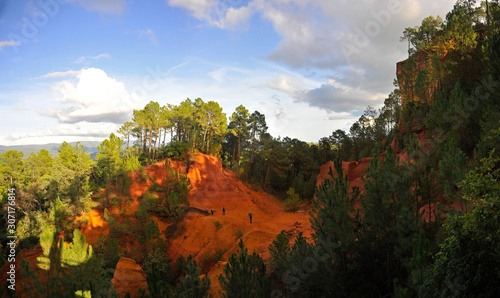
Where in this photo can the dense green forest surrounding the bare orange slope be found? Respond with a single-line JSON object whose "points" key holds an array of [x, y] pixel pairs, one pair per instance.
{"points": [[427, 224]]}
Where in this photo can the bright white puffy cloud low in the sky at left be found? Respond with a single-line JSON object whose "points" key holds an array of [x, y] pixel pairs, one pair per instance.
{"points": [[94, 97]]}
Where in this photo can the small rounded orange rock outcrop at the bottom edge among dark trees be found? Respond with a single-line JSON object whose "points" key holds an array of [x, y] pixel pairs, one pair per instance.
{"points": [[129, 277]]}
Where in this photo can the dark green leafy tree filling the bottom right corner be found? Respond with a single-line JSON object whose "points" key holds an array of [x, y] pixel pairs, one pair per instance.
{"points": [[468, 261]]}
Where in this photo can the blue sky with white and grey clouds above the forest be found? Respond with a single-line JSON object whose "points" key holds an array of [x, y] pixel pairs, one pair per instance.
{"points": [[74, 70]]}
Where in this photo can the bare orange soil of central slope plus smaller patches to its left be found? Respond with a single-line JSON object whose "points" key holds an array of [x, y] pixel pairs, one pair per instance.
{"points": [[213, 187]]}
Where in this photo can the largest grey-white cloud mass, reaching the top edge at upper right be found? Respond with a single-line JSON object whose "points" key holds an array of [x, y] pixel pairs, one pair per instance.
{"points": [[355, 45]]}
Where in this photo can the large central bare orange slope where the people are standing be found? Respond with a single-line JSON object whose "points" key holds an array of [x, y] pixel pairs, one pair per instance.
{"points": [[214, 188]]}
